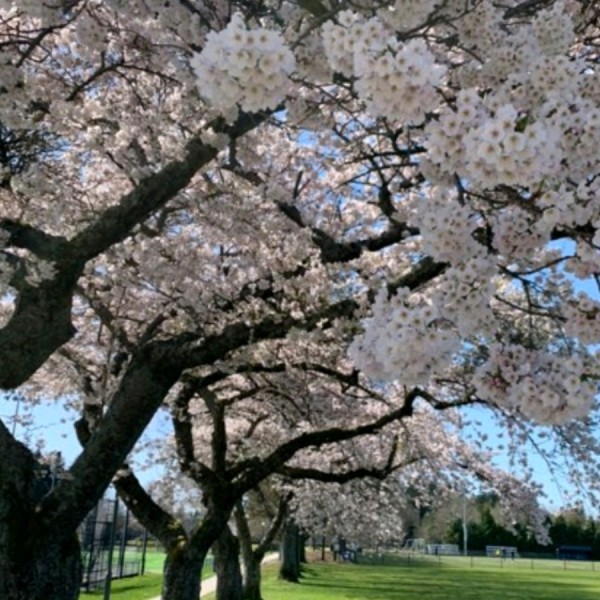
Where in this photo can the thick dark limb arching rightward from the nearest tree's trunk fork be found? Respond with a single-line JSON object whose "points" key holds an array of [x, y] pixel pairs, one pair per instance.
{"points": [[148, 377]]}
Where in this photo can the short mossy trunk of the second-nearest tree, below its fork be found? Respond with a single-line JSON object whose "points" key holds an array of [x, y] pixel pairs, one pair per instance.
{"points": [[182, 573]]}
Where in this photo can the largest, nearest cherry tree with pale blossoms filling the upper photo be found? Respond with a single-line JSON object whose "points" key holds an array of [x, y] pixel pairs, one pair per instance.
{"points": [[419, 176]]}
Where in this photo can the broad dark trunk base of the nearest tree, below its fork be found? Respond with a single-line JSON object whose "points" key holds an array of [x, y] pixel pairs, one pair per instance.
{"points": [[51, 571]]}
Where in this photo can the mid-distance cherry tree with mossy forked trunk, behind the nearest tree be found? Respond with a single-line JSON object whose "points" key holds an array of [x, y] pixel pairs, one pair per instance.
{"points": [[232, 436]]}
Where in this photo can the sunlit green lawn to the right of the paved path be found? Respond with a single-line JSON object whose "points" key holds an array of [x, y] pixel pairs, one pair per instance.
{"points": [[427, 581]]}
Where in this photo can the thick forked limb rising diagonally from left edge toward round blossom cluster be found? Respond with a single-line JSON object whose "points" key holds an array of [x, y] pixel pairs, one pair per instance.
{"points": [[41, 322]]}
